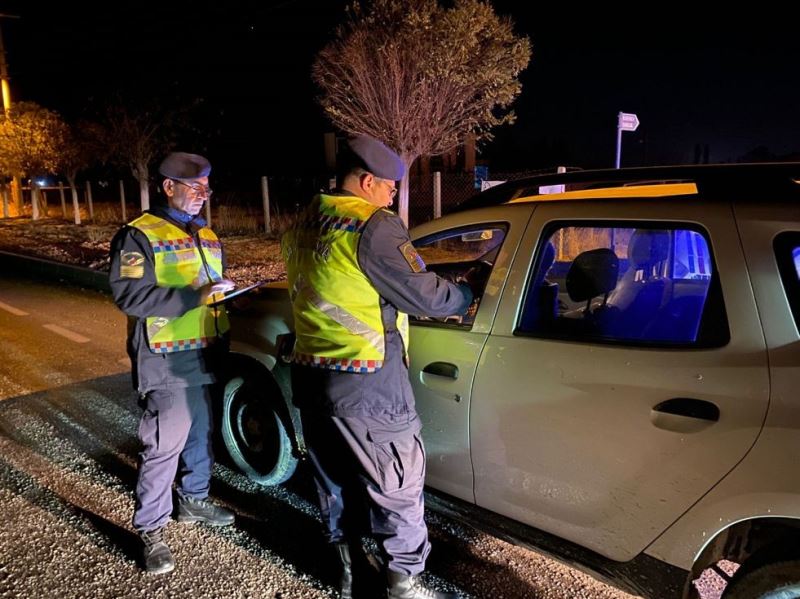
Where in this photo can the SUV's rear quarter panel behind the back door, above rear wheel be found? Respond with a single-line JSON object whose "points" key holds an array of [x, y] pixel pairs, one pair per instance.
{"points": [[765, 484]]}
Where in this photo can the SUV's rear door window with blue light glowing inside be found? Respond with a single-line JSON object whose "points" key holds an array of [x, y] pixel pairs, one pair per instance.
{"points": [[634, 285]]}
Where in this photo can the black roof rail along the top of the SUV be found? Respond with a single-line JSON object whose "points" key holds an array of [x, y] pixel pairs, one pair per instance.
{"points": [[706, 179]]}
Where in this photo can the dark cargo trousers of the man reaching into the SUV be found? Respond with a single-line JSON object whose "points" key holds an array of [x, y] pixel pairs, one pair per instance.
{"points": [[370, 475]]}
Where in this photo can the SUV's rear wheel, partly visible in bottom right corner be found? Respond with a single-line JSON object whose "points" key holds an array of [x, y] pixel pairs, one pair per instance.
{"points": [[773, 580]]}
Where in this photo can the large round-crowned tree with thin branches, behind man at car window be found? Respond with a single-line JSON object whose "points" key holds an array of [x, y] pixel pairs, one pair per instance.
{"points": [[419, 76]]}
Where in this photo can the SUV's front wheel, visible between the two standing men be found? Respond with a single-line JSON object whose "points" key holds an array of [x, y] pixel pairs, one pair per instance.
{"points": [[254, 433]]}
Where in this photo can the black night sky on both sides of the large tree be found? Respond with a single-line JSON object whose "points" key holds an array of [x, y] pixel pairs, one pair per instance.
{"points": [[727, 82]]}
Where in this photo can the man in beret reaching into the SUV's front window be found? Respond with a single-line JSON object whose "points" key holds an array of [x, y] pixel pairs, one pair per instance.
{"points": [[354, 276]]}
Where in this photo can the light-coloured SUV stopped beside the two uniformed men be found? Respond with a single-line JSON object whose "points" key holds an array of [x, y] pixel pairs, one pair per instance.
{"points": [[625, 396]]}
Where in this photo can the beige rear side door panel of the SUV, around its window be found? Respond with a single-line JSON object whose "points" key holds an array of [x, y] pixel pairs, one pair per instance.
{"points": [[571, 445]]}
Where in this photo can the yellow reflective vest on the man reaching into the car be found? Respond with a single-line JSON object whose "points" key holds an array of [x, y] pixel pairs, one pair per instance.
{"points": [[337, 313]]}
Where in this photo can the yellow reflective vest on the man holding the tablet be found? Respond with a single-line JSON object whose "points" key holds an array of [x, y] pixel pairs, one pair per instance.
{"points": [[179, 262]]}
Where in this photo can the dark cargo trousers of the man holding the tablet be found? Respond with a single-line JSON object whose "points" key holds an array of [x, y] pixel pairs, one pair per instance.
{"points": [[175, 430]]}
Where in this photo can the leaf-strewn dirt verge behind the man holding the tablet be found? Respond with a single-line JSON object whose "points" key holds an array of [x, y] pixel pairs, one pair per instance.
{"points": [[250, 258]]}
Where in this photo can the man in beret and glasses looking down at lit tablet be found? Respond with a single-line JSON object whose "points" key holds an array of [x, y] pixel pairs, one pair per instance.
{"points": [[165, 265]]}
